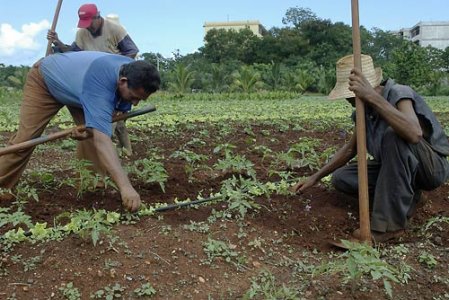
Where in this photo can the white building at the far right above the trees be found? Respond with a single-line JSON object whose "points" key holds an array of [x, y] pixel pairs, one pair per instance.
{"points": [[435, 34]]}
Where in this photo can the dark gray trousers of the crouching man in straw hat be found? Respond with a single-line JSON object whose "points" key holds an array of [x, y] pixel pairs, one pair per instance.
{"points": [[394, 183]]}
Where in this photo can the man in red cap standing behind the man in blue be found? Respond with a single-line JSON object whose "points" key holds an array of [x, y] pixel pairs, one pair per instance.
{"points": [[99, 34]]}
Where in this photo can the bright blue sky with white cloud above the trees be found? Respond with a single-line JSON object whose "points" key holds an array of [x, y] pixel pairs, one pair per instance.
{"points": [[167, 26]]}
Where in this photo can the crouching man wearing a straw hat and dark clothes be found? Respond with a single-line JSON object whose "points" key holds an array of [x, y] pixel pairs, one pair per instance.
{"points": [[405, 139]]}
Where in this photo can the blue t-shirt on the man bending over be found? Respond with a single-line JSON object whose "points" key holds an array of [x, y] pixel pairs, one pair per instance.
{"points": [[88, 80]]}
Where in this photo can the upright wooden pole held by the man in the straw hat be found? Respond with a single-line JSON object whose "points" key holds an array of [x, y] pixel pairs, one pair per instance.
{"points": [[365, 230]]}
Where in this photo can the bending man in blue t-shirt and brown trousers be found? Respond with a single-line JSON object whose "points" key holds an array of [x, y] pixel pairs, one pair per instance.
{"points": [[93, 85]]}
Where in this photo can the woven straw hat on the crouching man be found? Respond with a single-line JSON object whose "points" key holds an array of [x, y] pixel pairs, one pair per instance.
{"points": [[344, 67]]}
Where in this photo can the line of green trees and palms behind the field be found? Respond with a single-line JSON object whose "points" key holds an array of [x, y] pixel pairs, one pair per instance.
{"points": [[298, 57]]}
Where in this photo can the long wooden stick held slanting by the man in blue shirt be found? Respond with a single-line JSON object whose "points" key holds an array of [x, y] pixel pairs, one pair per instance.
{"points": [[66, 132]]}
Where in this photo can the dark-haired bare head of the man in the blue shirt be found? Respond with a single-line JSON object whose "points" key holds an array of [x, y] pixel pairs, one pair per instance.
{"points": [[137, 81]]}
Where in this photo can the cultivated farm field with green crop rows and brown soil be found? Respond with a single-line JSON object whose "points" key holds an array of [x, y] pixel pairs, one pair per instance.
{"points": [[63, 237]]}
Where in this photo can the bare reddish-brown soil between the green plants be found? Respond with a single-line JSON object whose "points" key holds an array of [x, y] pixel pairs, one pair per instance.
{"points": [[285, 236]]}
